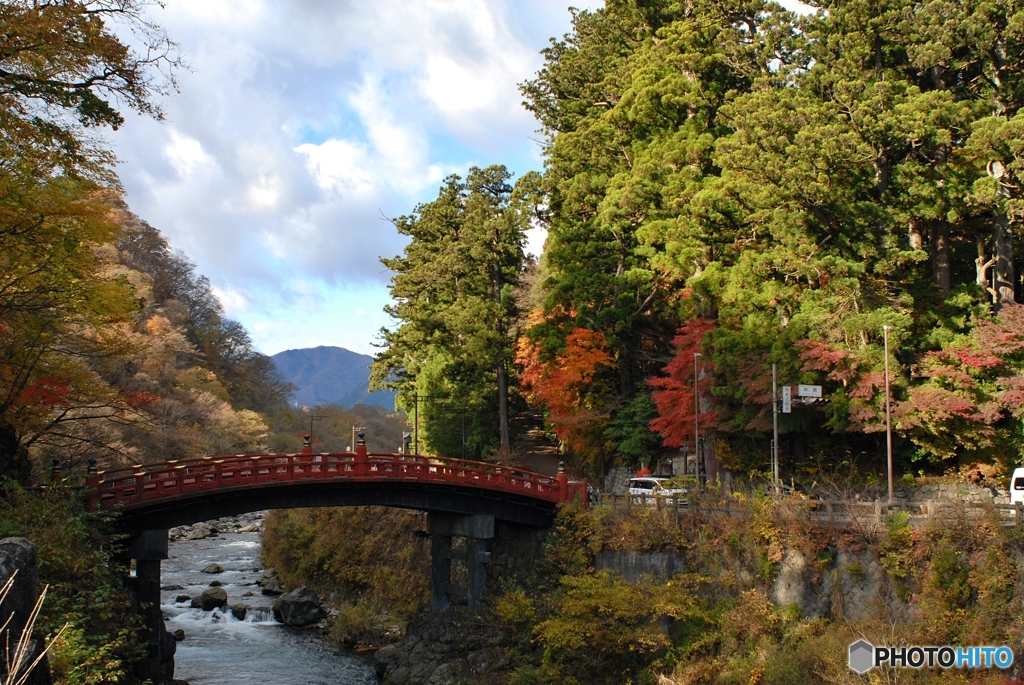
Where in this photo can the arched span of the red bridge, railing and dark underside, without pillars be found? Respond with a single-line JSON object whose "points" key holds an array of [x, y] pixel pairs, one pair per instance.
{"points": [[165, 495]]}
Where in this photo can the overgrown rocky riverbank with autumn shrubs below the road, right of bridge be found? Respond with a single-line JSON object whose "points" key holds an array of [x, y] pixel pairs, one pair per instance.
{"points": [[760, 595]]}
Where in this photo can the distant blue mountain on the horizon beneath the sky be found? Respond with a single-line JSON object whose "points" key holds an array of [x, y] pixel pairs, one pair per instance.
{"points": [[330, 375]]}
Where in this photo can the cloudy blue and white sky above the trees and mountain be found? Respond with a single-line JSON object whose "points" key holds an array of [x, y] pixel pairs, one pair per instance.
{"points": [[303, 125]]}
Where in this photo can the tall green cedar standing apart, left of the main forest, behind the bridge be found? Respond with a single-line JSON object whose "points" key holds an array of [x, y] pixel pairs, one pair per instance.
{"points": [[450, 356]]}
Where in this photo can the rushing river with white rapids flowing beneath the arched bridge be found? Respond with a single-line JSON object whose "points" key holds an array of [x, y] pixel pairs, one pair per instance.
{"points": [[219, 650]]}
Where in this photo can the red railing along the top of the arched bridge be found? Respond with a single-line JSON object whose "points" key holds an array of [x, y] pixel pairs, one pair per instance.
{"points": [[154, 482]]}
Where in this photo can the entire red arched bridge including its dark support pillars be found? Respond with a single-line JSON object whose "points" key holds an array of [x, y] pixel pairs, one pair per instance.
{"points": [[462, 499]]}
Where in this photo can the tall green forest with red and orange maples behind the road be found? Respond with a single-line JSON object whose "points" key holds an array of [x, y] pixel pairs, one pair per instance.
{"points": [[731, 186]]}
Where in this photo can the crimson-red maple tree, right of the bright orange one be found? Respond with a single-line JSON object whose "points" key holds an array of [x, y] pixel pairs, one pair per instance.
{"points": [[673, 394]]}
